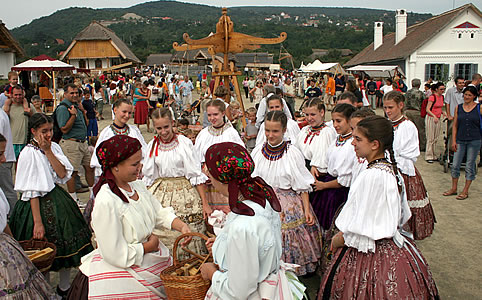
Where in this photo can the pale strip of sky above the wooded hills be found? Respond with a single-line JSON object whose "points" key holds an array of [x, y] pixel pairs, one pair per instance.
{"points": [[22, 12]]}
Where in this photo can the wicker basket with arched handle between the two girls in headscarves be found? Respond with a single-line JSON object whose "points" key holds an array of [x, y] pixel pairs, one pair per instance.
{"points": [[184, 287]]}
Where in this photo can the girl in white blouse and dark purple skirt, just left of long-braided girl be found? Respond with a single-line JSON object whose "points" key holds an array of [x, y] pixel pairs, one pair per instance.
{"points": [[331, 189]]}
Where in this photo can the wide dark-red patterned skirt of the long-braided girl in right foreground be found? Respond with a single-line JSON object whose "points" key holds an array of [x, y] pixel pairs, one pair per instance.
{"points": [[389, 273]]}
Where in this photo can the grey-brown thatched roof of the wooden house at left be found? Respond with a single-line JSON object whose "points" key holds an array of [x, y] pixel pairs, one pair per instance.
{"points": [[95, 32]]}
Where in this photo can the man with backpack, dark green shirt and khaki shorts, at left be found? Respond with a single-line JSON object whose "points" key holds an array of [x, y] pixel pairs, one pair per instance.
{"points": [[71, 120]]}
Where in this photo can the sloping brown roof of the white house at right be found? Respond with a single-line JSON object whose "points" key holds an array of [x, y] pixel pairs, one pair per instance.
{"points": [[417, 35]]}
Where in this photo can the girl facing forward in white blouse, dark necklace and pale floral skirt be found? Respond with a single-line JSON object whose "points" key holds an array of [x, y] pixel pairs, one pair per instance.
{"points": [[281, 165]]}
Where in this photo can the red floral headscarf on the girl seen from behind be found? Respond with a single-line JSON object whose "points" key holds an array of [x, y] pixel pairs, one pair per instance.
{"points": [[231, 163]]}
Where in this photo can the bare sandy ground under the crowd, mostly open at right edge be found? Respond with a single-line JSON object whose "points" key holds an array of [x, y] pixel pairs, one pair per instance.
{"points": [[452, 249]]}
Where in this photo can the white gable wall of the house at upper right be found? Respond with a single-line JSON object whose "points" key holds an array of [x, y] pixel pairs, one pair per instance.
{"points": [[447, 48]]}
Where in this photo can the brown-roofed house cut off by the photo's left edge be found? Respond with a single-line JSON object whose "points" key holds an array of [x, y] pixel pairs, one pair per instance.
{"points": [[10, 50]]}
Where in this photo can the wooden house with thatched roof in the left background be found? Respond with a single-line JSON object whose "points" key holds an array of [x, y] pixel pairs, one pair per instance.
{"points": [[98, 47]]}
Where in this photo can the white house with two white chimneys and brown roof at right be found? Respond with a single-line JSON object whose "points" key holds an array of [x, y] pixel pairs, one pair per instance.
{"points": [[442, 47]]}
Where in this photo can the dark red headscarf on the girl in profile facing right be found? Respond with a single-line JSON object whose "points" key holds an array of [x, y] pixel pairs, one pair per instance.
{"points": [[110, 153]]}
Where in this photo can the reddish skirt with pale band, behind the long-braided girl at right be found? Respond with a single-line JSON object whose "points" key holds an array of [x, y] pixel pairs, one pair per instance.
{"points": [[421, 224]]}
